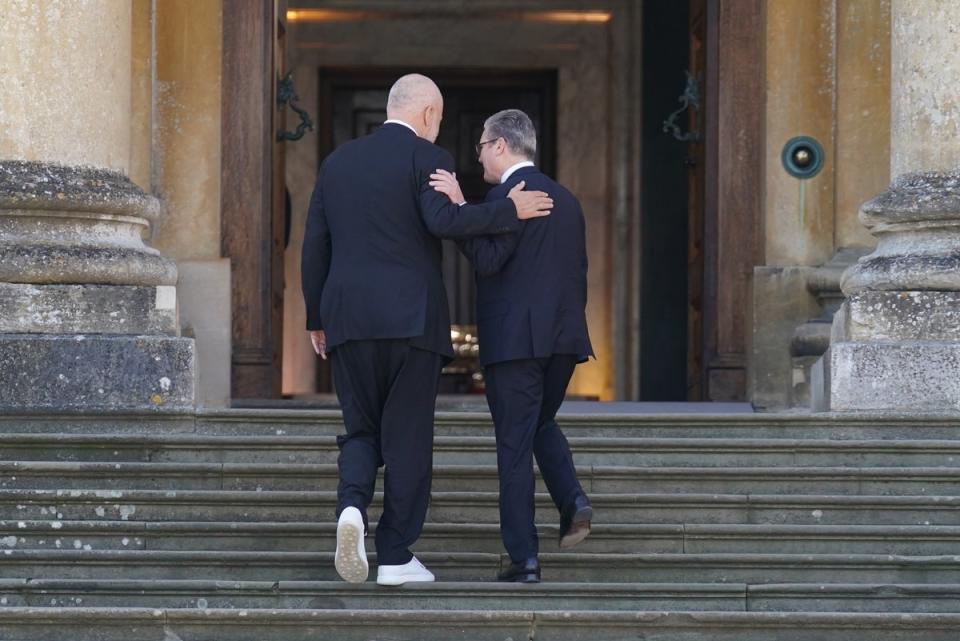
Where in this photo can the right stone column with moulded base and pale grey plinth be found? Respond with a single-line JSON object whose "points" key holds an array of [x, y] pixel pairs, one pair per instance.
{"points": [[896, 340]]}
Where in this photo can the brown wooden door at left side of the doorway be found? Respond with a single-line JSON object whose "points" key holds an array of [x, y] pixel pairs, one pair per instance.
{"points": [[251, 192]]}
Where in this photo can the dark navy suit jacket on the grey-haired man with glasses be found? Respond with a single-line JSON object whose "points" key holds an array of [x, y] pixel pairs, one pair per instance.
{"points": [[532, 283]]}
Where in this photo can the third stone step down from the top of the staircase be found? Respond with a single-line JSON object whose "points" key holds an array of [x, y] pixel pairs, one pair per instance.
{"points": [[930, 481]]}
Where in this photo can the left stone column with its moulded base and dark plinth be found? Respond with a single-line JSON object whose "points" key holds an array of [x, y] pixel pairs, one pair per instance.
{"points": [[88, 313]]}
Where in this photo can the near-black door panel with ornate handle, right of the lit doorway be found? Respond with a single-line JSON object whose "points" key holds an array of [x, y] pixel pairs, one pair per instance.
{"points": [[674, 269]]}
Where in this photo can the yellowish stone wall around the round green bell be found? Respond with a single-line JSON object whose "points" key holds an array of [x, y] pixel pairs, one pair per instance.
{"points": [[828, 76]]}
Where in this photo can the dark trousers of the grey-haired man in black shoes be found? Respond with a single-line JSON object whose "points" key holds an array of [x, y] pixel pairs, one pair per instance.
{"points": [[524, 396]]}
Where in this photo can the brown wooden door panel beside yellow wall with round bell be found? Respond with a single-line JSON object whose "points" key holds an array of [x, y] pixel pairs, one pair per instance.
{"points": [[733, 223]]}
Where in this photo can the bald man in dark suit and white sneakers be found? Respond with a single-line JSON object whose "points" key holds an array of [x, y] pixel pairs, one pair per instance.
{"points": [[375, 300]]}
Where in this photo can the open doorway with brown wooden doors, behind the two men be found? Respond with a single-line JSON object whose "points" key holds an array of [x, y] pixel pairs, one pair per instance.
{"points": [[598, 76]]}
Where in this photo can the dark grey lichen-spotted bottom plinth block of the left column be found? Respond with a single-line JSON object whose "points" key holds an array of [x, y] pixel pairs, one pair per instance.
{"points": [[96, 372]]}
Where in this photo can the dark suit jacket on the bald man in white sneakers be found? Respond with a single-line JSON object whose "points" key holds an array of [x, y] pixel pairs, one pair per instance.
{"points": [[371, 262]]}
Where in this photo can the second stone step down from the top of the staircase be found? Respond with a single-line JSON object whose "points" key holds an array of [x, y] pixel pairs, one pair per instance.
{"points": [[481, 450]]}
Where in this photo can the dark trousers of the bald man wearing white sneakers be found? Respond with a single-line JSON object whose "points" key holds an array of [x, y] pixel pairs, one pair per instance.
{"points": [[388, 391]]}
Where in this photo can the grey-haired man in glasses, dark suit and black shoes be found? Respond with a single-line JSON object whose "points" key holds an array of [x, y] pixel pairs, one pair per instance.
{"points": [[532, 327]]}
